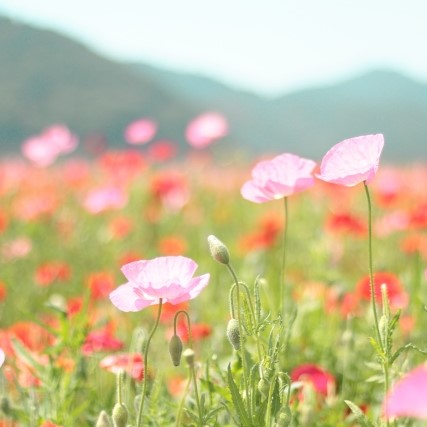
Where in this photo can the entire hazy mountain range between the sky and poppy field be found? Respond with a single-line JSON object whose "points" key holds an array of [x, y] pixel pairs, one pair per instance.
{"points": [[47, 78]]}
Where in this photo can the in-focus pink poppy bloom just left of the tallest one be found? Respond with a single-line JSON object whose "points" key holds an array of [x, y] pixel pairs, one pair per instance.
{"points": [[280, 177]]}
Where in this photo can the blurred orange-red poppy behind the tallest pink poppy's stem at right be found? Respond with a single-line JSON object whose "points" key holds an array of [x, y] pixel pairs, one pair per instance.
{"points": [[397, 296]]}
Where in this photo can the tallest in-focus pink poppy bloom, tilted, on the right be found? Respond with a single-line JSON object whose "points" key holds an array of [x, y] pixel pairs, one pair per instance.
{"points": [[352, 161]]}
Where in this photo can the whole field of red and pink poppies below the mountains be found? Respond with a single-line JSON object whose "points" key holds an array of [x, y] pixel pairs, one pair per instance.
{"points": [[142, 288]]}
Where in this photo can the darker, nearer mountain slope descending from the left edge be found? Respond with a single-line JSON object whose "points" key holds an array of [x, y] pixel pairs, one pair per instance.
{"points": [[47, 78]]}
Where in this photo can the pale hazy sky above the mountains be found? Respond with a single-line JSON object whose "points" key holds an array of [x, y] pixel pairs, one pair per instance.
{"points": [[269, 46]]}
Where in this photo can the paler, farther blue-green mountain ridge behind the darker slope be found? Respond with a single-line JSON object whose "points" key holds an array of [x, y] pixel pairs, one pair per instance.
{"points": [[308, 122]]}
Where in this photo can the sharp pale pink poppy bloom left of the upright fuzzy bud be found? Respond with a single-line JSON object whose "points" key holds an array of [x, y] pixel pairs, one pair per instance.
{"points": [[170, 278]]}
